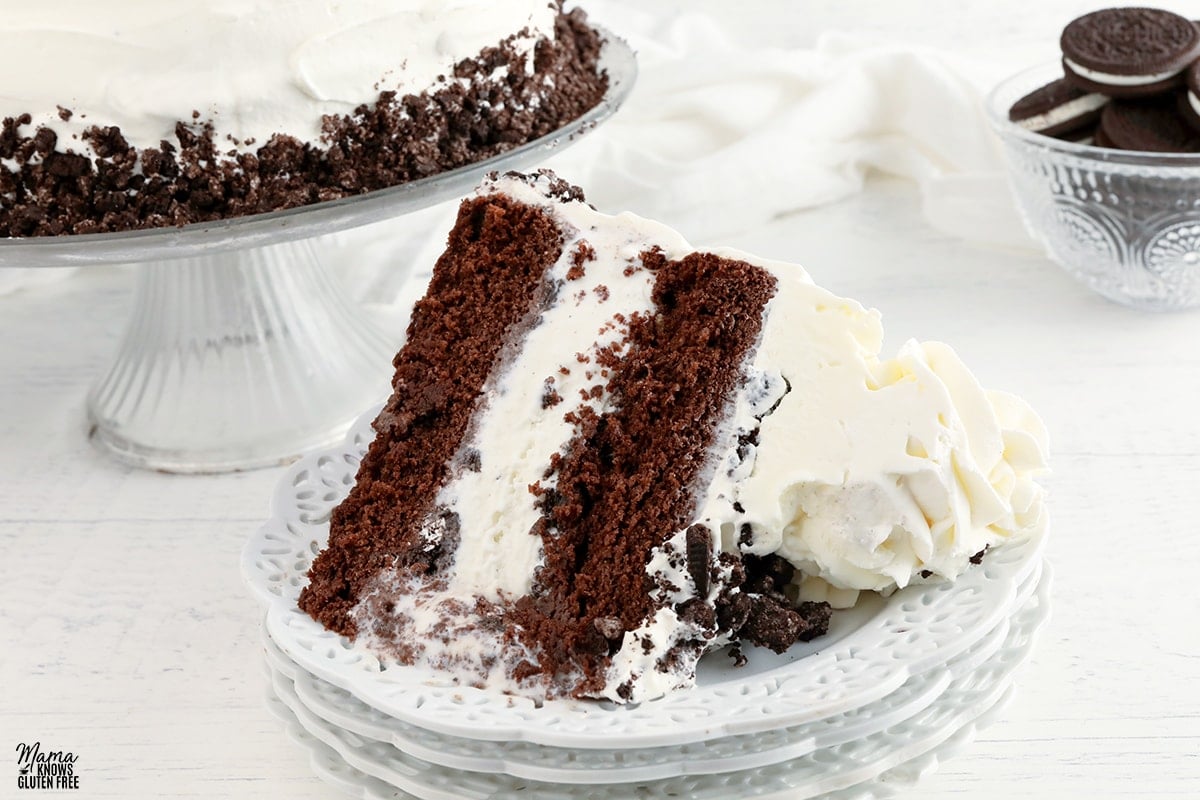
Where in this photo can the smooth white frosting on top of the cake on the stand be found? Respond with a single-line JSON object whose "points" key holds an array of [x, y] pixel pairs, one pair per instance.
{"points": [[254, 68]]}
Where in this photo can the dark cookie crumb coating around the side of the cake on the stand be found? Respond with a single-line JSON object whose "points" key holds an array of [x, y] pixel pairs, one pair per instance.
{"points": [[50, 189]]}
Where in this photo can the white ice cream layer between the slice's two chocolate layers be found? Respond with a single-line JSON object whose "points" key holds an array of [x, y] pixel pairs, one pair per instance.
{"points": [[519, 431]]}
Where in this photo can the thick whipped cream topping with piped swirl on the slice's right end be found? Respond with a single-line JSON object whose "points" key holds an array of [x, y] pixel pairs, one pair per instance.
{"points": [[872, 473]]}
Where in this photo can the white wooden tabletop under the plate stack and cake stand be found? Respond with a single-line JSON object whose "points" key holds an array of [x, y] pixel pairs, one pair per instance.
{"points": [[128, 637]]}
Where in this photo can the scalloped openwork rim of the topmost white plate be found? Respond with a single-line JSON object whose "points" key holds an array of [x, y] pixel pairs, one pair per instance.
{"points": [[370, 685]]}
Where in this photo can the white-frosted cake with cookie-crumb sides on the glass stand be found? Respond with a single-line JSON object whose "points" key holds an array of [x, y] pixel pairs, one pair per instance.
{"points": [[131, 115]]}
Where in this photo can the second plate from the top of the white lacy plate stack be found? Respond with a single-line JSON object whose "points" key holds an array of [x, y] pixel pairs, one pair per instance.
{"points": [[339, 709]]}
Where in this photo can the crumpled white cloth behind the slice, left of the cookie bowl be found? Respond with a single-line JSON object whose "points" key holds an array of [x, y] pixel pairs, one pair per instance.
{"points": [[719, 137]]}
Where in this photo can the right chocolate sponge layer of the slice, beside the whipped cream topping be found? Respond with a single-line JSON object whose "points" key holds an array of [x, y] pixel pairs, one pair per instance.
{"points": [[628, 482]]}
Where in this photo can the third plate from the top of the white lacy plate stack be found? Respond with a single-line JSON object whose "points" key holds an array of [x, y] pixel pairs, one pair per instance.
{"points": [[833, 769]]}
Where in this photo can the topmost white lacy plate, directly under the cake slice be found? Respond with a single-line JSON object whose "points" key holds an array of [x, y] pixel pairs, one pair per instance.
{"points": [[871, 651]]}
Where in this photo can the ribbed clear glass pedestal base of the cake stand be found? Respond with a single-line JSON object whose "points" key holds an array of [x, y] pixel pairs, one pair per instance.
{"points": [[237, 360]]}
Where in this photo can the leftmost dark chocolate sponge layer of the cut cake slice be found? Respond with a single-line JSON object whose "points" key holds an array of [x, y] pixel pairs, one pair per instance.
{"points": [[487, 288]]}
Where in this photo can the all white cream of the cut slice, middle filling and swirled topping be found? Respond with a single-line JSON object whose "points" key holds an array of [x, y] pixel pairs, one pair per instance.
{"points": [[868, 474]]}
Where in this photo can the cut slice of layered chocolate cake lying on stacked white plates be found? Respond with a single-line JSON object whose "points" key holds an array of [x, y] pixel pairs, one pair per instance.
{"points": [[608, 454]]}
